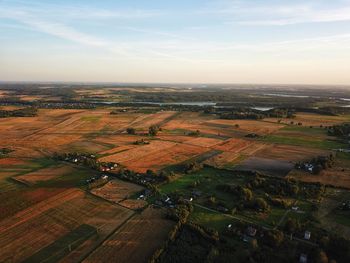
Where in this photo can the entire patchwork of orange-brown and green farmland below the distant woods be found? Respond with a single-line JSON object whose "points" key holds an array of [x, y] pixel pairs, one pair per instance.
{"points": [[71, 183]]}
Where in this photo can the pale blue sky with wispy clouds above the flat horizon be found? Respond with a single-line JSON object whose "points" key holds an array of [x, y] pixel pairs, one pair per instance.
{"points": [[183, 41]]}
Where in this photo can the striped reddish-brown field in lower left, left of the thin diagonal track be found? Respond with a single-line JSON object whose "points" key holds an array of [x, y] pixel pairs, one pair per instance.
{"points": [[36, 227]]}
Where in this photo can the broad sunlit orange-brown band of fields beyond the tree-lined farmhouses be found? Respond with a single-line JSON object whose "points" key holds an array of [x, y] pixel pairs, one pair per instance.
{"points": [[104, 134]]}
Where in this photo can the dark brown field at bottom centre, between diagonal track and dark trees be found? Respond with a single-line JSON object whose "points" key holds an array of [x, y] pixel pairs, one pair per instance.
{"points": [[136, 240]]}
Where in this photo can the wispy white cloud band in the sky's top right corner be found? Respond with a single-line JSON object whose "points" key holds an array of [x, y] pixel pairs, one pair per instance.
{"points": [[269, 13]]}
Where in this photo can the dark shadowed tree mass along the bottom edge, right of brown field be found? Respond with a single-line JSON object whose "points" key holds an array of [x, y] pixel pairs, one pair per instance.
{"points": [[193, 243]]}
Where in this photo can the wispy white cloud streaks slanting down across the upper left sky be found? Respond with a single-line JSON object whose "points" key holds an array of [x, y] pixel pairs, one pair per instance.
{"points": [[37, 19]]}
